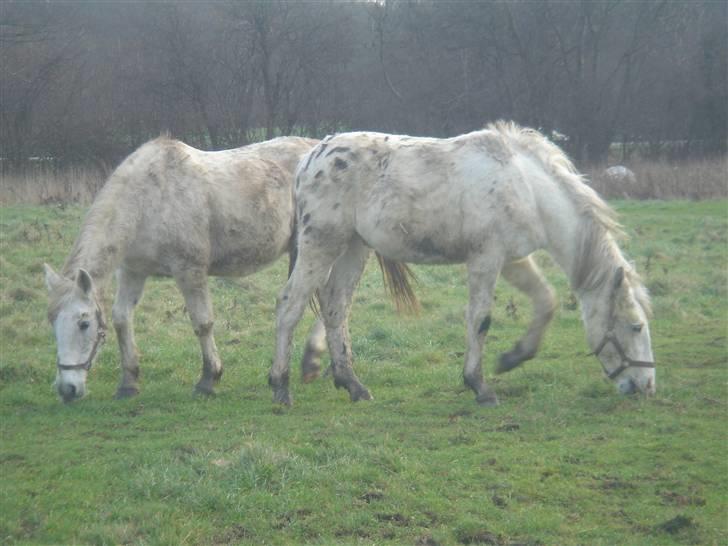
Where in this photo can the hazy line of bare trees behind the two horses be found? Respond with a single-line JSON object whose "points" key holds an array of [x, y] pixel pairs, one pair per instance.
{"points": [[88, 82]]}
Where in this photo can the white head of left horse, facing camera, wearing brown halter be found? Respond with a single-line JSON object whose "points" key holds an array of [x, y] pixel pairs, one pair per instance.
{"points": [[78, 324]]}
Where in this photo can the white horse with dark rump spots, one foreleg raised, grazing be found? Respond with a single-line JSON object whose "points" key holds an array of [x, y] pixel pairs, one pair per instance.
{"points": [[488, 199]]}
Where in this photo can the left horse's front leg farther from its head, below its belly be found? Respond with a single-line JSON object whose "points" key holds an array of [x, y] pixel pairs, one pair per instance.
{"points": [[193, 285]]}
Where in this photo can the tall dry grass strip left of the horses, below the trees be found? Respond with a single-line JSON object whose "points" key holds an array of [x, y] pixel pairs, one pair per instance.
{"points": [[44, 184]]}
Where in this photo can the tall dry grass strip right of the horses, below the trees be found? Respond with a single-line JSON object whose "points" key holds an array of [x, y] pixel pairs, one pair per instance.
{"points": [[693, 179]]}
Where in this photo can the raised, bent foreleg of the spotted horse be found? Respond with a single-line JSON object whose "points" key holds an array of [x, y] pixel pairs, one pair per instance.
{"points": [[525, 275]]}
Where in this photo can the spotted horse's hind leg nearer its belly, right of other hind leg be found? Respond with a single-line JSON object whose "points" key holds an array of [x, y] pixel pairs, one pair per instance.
{"points": [[336, 300]]}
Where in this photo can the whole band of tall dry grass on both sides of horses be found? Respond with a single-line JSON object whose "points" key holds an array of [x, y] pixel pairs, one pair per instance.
{"points": [[695, 179]]}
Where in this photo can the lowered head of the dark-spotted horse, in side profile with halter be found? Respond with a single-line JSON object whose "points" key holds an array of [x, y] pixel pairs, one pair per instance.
{"points": [[619, 332]]}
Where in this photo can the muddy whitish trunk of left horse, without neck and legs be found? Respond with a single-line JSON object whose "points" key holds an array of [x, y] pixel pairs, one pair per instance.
{"points": [[229, 212]]}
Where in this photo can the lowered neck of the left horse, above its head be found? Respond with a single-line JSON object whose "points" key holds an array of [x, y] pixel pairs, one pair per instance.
{"points": [[102, 241]]}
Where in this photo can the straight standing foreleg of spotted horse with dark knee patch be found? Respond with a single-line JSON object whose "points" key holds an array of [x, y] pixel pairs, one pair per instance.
{"points": [[482, 276]]}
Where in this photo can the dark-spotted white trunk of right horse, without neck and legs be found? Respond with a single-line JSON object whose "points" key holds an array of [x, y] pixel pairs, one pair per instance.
{"points": [[420, 200]]}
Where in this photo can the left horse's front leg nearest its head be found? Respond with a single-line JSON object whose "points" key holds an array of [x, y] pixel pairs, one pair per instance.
{"points": [[128, 294]]}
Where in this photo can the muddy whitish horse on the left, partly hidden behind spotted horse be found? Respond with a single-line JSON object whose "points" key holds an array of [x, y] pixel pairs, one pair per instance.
{"points": [[172, 210]]}
